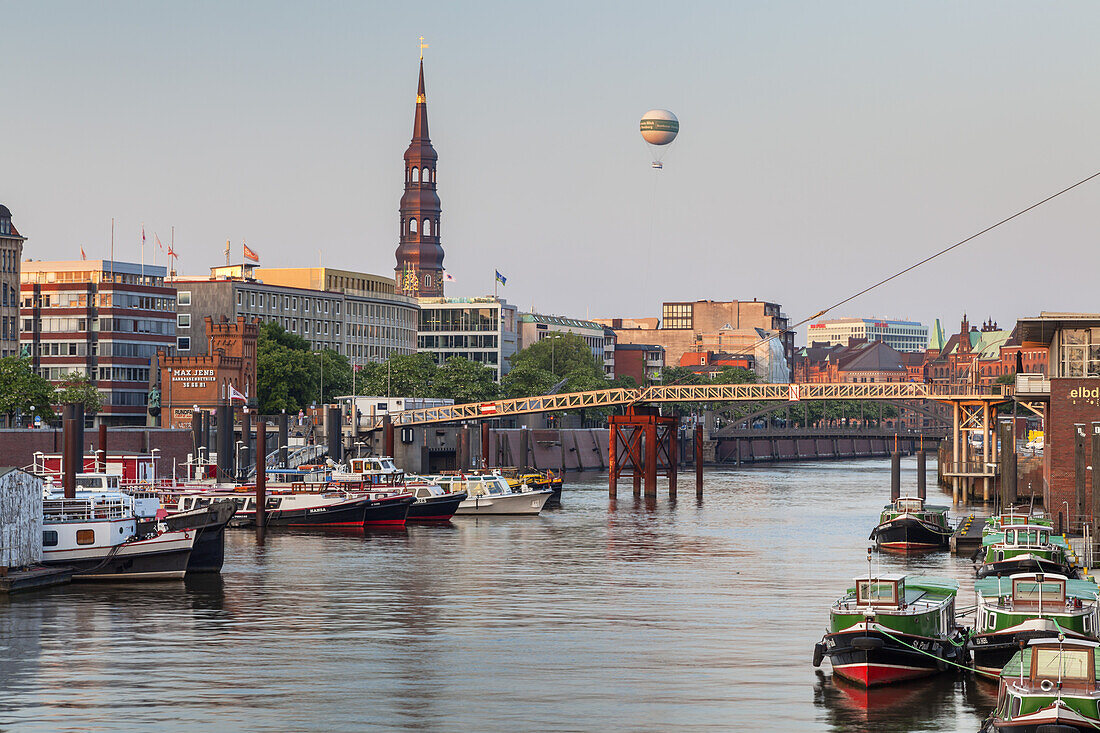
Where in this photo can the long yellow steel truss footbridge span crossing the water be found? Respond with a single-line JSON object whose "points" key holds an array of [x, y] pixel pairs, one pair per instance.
{"points": [[953, 395]]}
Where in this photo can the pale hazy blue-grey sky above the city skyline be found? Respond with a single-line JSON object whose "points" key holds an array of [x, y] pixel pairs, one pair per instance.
{"points": [[823, 146]]}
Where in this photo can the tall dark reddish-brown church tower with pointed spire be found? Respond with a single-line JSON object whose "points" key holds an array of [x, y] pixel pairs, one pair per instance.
{"points": [[420, 271]]}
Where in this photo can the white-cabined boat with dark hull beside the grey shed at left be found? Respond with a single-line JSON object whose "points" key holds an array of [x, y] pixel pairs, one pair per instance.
{"points": [[97, 534]]}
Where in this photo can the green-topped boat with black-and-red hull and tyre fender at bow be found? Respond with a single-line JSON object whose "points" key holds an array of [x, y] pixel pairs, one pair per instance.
{"points": [[890, 629]]}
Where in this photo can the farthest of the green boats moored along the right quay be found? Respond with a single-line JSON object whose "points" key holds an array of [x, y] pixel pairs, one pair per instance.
{"points": [[1025, 549]]}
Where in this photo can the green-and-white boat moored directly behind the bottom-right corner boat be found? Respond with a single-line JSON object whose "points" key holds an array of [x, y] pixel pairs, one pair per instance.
{"points": [[1029, 606]]}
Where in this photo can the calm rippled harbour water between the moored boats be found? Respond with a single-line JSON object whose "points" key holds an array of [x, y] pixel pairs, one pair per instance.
{"points": [[593, 617]]}
